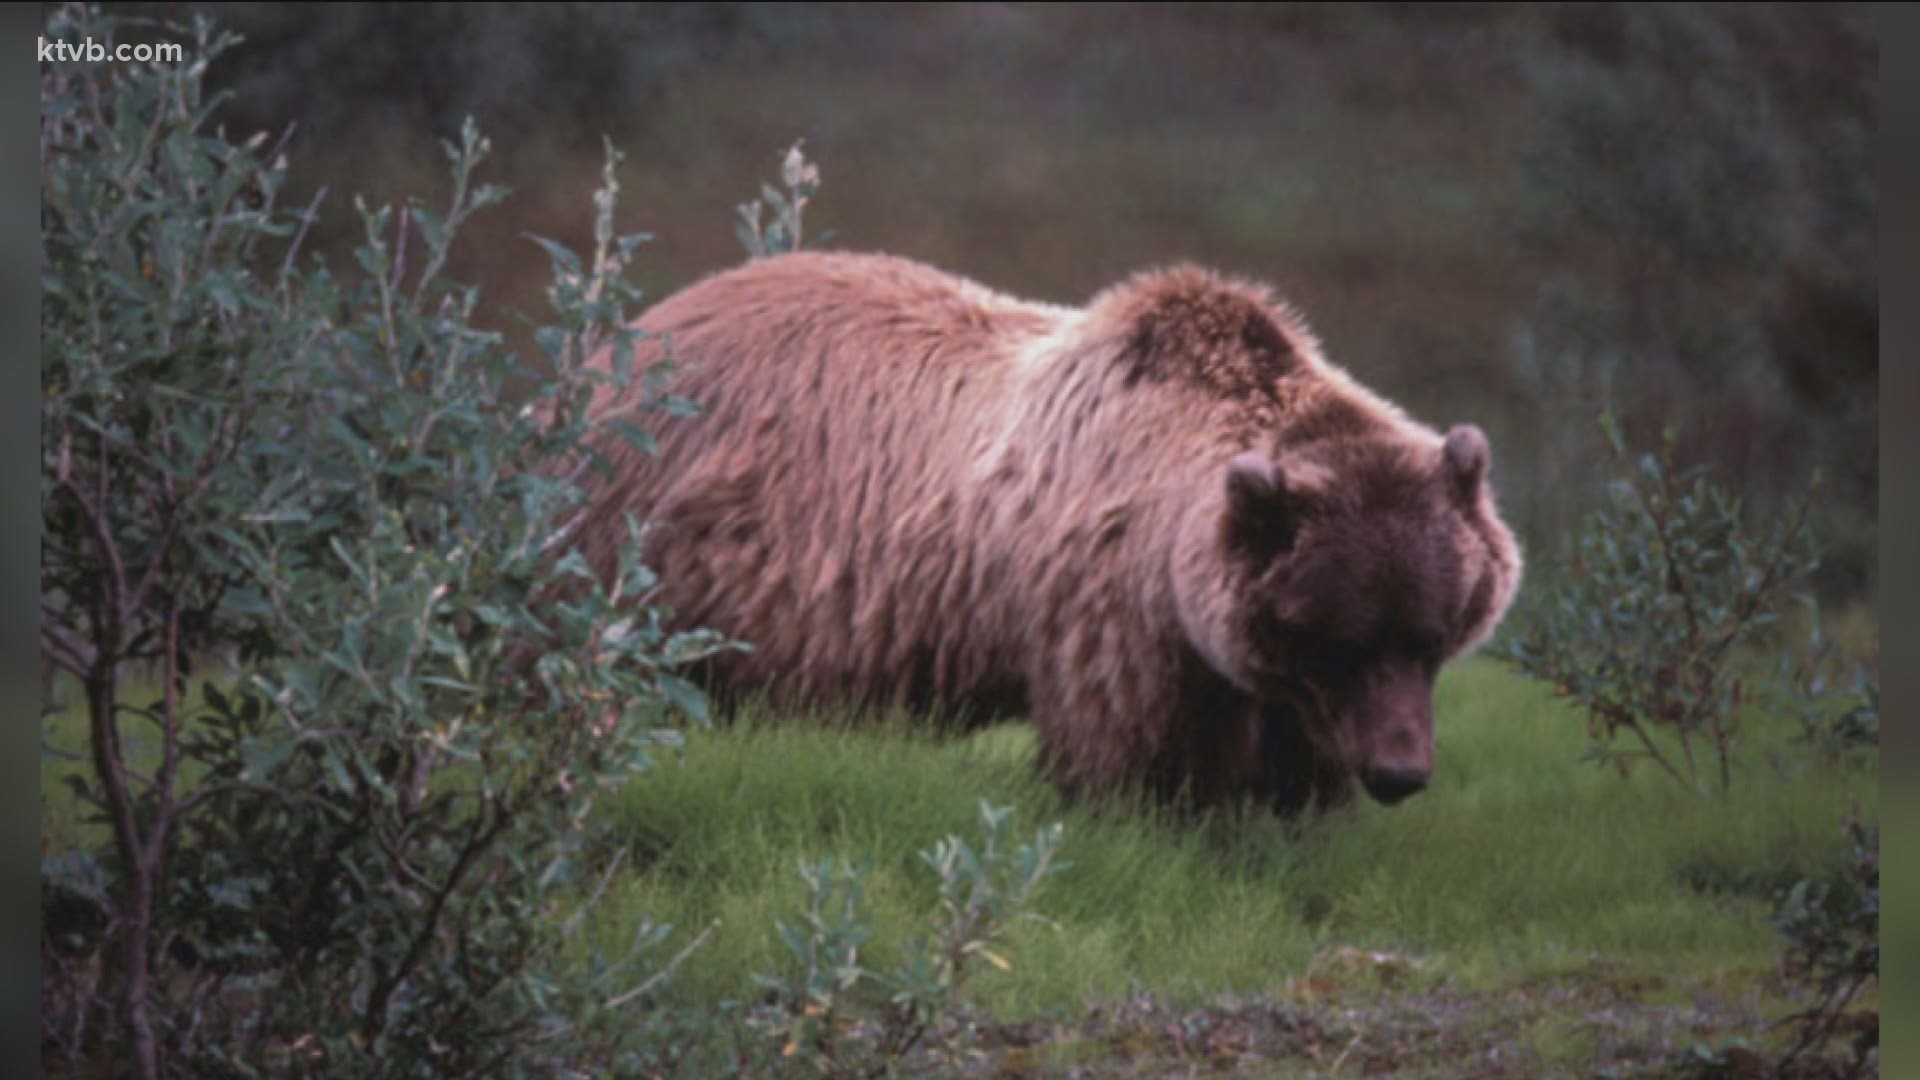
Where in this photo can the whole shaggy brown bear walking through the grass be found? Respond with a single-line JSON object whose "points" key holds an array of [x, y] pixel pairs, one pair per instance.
{"points": [[1197, 554]]}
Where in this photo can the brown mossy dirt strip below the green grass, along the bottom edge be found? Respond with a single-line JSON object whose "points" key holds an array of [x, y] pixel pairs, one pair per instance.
{"points": [[1589, 1027]]}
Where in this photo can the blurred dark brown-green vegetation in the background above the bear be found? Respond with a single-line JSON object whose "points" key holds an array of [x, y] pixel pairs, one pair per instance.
{"points": [[1489, 212]]}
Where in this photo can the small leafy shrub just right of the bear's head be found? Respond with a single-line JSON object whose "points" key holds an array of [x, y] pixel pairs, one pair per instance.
{"points": [[1662, 597]]}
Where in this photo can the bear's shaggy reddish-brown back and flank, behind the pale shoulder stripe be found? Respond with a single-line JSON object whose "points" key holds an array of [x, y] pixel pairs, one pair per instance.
{"points": [[815, 508]]}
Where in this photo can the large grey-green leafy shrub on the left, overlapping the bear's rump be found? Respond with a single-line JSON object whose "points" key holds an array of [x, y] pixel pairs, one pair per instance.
{"points": [[358, 850]]}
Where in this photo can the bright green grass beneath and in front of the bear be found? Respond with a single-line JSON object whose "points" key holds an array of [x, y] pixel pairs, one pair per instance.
{"points": [[1520, 864]]}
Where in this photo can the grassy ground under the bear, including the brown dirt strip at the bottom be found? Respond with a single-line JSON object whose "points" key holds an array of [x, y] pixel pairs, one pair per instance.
{"points": [[1525, 916]]}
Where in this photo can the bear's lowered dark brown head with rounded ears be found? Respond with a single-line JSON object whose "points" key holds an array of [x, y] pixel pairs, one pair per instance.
{"points": [[1337, 577]]}
